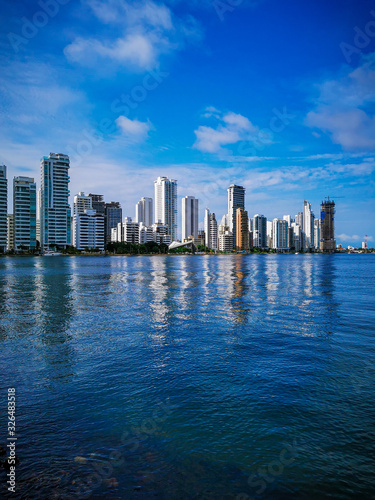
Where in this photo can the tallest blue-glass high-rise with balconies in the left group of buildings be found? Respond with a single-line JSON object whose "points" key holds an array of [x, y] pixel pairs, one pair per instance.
{"points": [[55, 216]]}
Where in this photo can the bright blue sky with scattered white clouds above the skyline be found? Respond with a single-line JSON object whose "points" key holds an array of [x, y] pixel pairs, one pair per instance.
{"points": [[276, 96]]}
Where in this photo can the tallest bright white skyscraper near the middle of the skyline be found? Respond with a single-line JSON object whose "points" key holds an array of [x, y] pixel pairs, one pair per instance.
{"points": [[166, 204]]}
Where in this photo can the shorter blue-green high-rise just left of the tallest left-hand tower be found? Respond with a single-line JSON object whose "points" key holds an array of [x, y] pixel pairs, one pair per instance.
{"points": [[24, 213]]}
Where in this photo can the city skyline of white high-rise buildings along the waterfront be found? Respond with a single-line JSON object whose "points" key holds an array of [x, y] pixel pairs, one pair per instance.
{"points": [[303, 233]]}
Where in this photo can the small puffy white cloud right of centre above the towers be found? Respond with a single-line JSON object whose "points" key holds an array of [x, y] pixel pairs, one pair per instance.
{"points": [[231, 129]]}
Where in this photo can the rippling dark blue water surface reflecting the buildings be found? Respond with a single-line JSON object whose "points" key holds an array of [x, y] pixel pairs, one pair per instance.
{"points": [[190, 377]]}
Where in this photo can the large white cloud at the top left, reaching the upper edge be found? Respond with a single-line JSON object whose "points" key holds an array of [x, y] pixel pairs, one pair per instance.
{"points": [[143, 31]]}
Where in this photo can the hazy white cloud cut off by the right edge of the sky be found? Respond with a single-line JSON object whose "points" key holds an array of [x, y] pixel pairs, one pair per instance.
{"points": [[344, 108]]}
